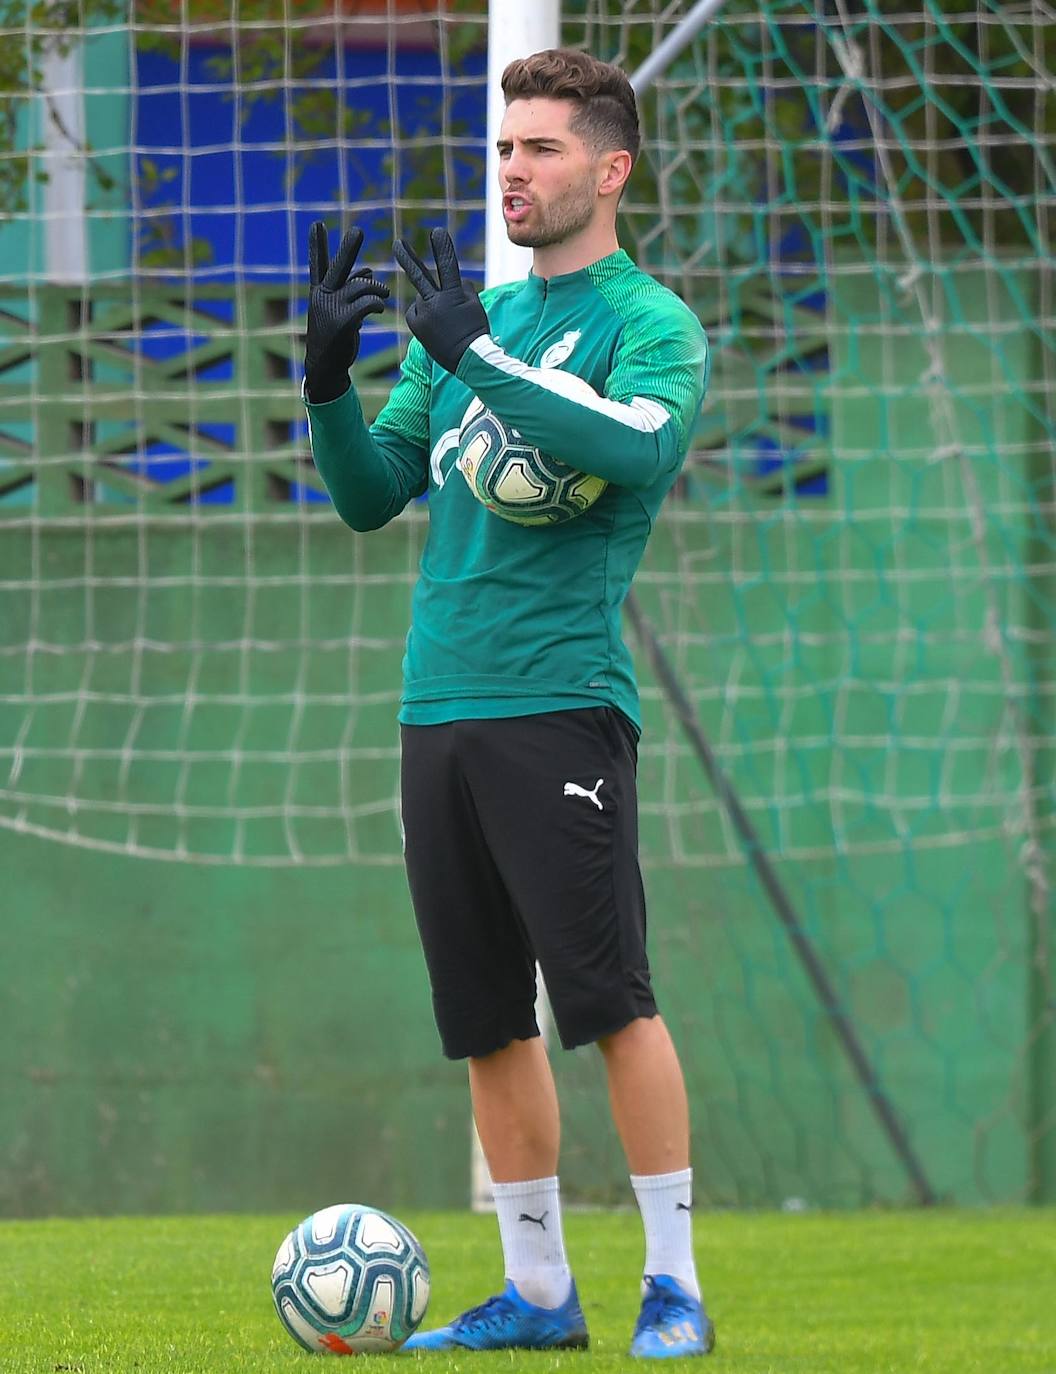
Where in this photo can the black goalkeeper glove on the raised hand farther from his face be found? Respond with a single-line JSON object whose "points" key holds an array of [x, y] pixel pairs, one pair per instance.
{"points": [[337, 307]]}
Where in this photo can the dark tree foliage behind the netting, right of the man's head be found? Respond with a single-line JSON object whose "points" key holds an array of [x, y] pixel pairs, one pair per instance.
{"points": [[811, 127]]}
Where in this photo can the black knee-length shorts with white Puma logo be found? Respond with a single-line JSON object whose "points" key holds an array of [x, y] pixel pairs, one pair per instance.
{"points": [[521, 844]]}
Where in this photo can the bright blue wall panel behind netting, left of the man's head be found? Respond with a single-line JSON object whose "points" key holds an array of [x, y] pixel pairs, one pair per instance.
{"points": [[219, 172]]}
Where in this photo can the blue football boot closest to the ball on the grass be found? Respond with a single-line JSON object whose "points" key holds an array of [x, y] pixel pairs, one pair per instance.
{"points": [[507, 1322]]}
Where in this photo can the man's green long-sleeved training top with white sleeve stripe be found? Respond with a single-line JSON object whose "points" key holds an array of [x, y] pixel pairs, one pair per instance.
{"points": [[513, 620]]}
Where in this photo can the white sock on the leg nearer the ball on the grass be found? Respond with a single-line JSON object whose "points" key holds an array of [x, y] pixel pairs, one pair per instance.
{"points": [[533, 1244]]}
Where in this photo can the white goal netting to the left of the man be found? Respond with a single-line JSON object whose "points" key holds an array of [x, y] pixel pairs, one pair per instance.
{"points": [[197, 660]]}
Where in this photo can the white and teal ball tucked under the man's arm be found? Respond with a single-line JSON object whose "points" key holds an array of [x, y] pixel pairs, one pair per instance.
{"points": [[516, 480]]}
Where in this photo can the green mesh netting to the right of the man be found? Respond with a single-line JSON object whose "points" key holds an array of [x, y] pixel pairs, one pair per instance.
{"points": [[856, 594]]}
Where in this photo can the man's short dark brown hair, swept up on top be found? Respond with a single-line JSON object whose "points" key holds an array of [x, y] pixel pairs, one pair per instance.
{"points": [[608, 113]]}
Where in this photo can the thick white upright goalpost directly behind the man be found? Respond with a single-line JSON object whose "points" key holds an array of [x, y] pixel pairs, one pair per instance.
{"points": [[516, 30]]}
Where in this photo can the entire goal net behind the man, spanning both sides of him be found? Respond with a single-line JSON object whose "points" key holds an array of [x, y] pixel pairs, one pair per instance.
{"points": [[852, 583]]}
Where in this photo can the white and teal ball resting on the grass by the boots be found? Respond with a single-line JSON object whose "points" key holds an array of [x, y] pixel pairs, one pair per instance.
{"points": [[349, 1281]]}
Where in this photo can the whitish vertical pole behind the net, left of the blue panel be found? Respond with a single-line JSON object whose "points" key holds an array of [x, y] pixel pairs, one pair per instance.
{"points": [[64, 138]]}
